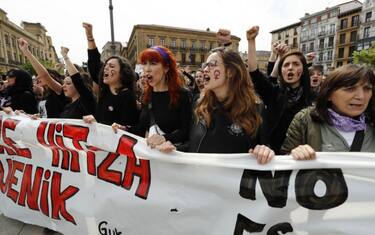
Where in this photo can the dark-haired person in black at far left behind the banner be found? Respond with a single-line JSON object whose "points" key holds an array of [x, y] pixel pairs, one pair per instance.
{"points": [[20, 91]]}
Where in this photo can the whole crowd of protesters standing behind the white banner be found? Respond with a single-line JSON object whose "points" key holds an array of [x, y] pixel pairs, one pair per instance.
{"points": [[227, 106]]}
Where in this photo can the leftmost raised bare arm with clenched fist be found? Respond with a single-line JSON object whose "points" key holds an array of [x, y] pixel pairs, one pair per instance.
{"points": [[42, 72]]}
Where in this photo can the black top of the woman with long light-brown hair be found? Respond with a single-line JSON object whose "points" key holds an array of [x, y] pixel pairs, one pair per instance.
{"points": [[223, 136]]}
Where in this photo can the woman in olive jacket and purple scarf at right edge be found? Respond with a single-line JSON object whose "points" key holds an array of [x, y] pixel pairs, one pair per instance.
{"points": [[342, 119]]}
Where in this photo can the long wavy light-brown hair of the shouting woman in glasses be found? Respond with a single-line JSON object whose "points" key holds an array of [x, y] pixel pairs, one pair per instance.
{"points": [[240, 103]]}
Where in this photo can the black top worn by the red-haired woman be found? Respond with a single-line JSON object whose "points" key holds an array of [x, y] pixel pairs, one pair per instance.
{"points": [[173, 121]]}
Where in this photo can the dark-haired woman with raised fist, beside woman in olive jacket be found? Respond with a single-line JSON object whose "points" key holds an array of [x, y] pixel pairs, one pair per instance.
{"points": [[284, 99]]}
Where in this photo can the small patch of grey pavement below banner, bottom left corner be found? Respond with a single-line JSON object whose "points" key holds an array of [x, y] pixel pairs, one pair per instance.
{"points": [[10, 226]]}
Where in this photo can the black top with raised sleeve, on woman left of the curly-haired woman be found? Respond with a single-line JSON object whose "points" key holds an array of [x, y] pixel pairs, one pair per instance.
{"points": [[84, 105]]}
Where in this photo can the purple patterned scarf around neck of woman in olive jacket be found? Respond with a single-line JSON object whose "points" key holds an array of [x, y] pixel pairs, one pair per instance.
{"points": [[347, 124]]}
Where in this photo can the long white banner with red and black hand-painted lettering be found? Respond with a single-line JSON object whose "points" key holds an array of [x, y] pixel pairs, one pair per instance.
{"points": [[84, 179]]}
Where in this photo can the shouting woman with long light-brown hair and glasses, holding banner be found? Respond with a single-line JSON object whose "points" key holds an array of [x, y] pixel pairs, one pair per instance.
{"points": [[226, 116]]}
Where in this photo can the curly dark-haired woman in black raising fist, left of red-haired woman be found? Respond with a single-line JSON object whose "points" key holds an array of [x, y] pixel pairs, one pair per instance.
{"points": [[115, 78]]}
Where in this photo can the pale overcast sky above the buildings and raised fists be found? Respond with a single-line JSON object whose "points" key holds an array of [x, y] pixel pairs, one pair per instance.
{"points": [[63, 19]]}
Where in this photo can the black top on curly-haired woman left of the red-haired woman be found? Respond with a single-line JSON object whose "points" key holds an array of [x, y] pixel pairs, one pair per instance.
{"points": [[120, 108]]}
